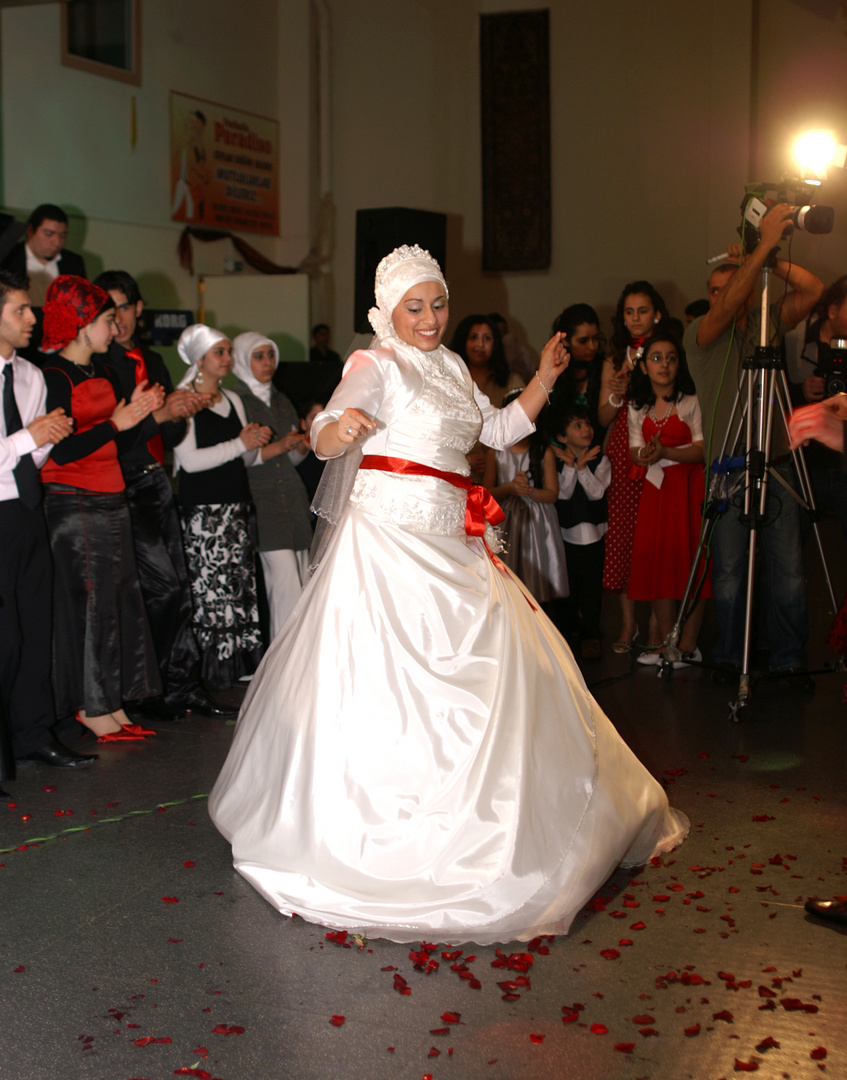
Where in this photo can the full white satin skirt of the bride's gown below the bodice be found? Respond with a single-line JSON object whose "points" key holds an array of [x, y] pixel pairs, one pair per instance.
{"points": [[419, 757]]}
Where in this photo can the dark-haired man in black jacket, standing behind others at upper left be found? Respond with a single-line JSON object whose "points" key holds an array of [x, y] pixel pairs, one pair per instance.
{"points": [[43, 258]]}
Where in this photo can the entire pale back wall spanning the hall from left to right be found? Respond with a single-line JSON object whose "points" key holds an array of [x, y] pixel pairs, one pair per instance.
{"points": [[651, 129]]}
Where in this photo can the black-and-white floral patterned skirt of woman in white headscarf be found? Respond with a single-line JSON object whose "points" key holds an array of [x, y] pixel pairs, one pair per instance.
{"points": [[222, 566]]}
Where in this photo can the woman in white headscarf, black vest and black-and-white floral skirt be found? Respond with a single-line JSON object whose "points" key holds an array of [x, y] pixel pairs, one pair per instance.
{"points": [[214, 509]]}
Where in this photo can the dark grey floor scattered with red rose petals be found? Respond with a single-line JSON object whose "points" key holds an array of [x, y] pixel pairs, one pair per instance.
{"points": [[133, 952]]}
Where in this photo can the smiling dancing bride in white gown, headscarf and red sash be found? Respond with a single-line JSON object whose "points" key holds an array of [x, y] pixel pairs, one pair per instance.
{"points": [[419, 757]]}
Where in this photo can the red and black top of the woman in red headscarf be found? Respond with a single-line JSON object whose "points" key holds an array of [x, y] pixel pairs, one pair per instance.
{"points": [[89, 458]]}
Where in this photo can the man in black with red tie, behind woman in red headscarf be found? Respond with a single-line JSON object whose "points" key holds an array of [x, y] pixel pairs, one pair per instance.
{"points": [[163, 573]]}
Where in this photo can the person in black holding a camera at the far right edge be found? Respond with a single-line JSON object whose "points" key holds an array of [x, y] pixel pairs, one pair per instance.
{"points": [[828, 323]]}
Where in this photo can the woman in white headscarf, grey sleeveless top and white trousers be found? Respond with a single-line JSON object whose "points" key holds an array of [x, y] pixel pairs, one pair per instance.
{"points": [[279, 495]]}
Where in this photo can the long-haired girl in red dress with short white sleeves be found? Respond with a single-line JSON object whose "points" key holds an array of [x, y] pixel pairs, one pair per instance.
{"points": [[667, 442]]}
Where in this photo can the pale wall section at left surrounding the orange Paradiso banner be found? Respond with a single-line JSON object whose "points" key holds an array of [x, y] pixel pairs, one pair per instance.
{"points": [[68, 133]]}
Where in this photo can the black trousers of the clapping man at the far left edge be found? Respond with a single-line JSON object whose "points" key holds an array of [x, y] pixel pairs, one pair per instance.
{"points": [[26, 633]]}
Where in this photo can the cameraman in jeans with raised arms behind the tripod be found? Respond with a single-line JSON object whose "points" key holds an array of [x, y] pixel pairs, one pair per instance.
{"points": [[717, 345]]}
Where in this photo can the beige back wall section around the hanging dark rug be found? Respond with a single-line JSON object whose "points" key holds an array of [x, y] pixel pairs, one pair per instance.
{"points": [[650, 131]]}
